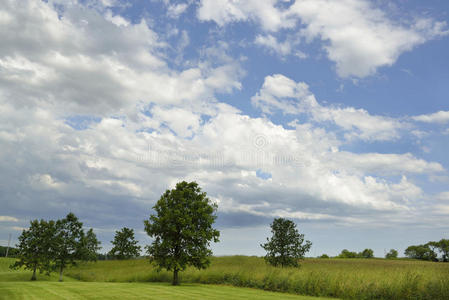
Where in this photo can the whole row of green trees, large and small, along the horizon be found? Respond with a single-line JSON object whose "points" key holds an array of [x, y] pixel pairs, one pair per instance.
{"points": [[182, 229]]}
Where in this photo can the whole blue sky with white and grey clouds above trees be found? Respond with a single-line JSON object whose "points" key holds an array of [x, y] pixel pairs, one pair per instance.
{"points": [[334, 114]]}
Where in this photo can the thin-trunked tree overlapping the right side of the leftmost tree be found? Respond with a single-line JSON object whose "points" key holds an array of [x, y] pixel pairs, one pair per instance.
{"points": [[68, 243]]}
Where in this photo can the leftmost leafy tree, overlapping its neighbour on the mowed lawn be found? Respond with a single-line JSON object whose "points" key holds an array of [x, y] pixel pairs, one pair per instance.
{"points": [[34, 248]]}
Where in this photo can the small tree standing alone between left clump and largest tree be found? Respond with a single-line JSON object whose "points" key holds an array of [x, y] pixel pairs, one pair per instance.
{"points": [[125, 246]]}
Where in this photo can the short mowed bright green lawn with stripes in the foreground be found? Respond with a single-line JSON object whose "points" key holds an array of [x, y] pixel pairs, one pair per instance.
{"points": [[17, 285]]}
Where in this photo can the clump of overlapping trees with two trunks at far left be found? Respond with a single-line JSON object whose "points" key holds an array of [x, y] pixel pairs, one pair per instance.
{"points": [[50, 245]]}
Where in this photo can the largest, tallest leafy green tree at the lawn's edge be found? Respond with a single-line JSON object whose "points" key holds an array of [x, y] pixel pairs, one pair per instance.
{"points": [[182, 229]]}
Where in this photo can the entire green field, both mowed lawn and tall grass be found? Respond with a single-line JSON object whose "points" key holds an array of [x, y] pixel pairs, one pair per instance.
{"points": [[236, 277]]}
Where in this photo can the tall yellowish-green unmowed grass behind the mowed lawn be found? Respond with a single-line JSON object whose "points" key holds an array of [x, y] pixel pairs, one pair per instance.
{"points": [[341, 278]]}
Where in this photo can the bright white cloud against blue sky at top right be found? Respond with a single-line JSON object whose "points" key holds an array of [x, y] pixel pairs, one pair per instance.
{"points": [[358, 37]]}
